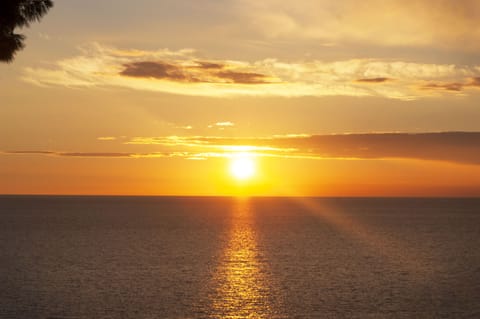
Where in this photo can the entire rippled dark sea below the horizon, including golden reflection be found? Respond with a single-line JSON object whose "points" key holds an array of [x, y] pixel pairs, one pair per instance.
{"points": [[173, 257]]}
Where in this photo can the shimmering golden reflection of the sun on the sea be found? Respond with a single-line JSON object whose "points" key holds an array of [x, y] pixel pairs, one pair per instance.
{"points": [[243, 289]]}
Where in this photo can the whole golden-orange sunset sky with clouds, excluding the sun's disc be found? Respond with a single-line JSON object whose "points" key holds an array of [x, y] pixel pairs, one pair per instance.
{"points": [[329, 98]]}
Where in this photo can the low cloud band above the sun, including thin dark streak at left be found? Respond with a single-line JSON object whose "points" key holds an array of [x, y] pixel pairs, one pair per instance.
{"points": [[457, 147]]}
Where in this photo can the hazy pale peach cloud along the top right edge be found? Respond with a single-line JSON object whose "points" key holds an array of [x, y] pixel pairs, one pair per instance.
{"points": [[413, 23]]}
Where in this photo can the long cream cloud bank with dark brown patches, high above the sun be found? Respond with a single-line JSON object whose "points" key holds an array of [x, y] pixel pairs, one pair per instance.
{"points": [[183, 72]]}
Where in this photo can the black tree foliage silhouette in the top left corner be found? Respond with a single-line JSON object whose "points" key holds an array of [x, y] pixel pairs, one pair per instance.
{"points": [[18, 14]]}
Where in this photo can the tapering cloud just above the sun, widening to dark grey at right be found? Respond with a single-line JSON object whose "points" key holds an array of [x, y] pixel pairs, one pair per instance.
{"points": [[462, 147]]}
